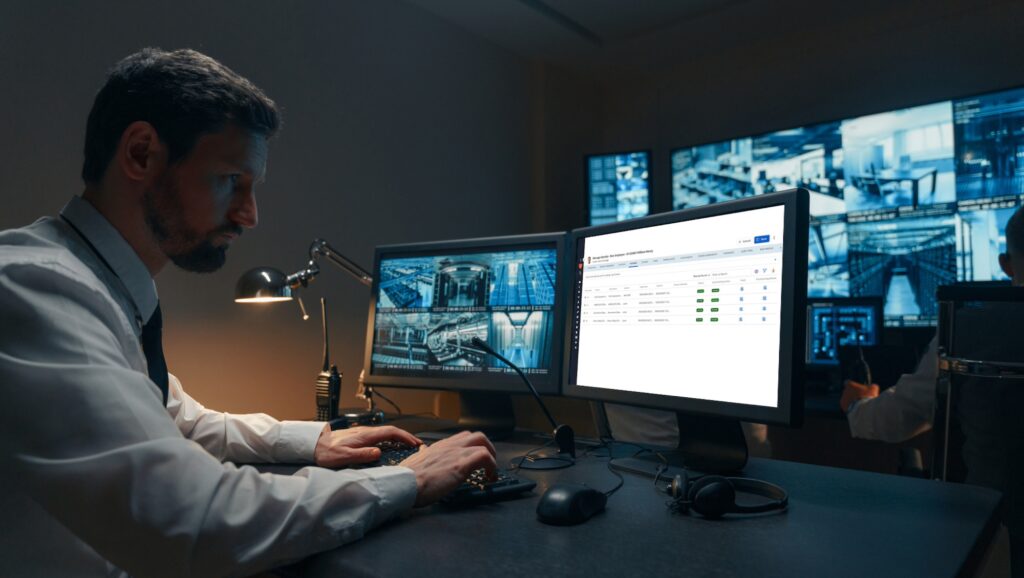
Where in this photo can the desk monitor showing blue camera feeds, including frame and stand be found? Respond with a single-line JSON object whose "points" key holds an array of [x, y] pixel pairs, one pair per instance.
{"points": [[431, 300]]}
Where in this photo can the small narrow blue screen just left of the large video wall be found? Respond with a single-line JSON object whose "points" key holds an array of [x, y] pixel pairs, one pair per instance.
{"points": [[618, 186]]}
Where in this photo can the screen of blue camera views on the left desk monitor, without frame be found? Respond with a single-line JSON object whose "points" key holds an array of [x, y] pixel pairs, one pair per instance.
{"points": [[430, 310]]}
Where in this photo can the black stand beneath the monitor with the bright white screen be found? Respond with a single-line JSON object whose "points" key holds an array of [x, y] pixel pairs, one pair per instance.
{"points": [[711, 445]]}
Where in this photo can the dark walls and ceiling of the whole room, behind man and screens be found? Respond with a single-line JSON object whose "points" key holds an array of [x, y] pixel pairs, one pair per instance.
{"points": [[429, 120]]}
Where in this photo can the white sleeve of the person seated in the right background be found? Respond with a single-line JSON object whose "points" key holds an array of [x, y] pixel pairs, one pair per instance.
{"points": [[903, 411]]}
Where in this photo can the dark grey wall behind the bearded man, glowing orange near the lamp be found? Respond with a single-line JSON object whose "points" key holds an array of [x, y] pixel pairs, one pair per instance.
{"points": [[399, 128]]}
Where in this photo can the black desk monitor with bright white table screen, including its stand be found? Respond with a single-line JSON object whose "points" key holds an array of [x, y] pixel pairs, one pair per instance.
{"points": [[700, 312]]}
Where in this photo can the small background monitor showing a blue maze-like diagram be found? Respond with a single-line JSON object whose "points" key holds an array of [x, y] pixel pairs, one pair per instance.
{"points": [[839, 323]]}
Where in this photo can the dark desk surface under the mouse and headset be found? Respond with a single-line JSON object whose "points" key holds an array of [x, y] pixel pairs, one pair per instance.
{"points": [[840, 523]]}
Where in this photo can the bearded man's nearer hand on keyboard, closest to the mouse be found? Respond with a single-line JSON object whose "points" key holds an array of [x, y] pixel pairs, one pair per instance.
{"points": [[442, 468]]}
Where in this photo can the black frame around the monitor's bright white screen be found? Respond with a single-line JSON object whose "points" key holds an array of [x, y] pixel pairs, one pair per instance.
{"points": [[794, 296]]}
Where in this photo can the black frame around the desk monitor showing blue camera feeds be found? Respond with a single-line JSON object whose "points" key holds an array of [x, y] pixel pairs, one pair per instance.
{"points": [[504, 383]]}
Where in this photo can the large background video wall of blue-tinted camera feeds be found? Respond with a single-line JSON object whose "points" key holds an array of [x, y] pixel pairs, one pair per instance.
{"points": [[902, 202]]}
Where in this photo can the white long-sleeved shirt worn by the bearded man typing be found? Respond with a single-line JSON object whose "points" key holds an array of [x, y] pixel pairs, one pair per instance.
{"points": [[99, 478]]}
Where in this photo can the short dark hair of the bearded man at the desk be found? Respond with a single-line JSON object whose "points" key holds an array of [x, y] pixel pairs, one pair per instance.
{"points": [[184, 95]]}
